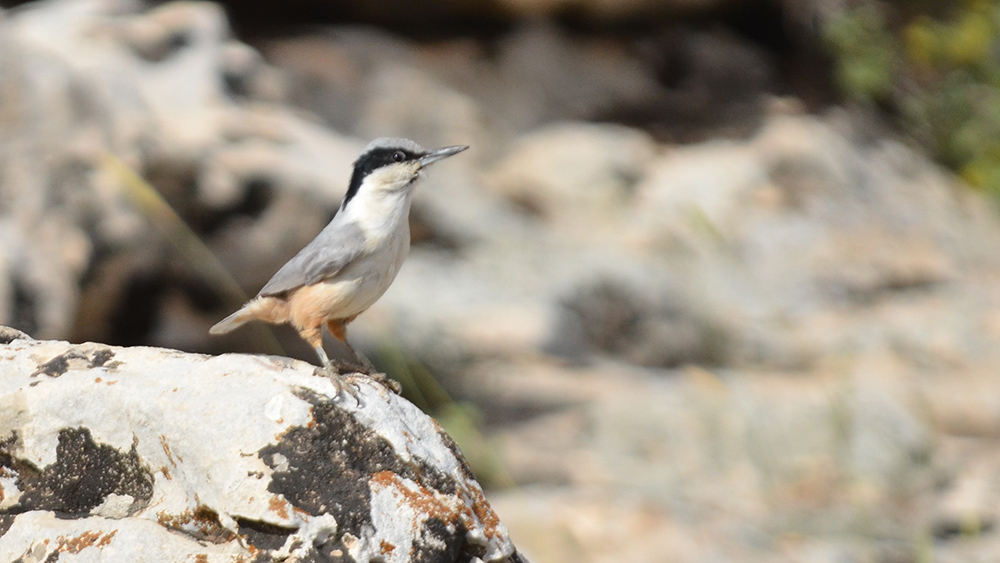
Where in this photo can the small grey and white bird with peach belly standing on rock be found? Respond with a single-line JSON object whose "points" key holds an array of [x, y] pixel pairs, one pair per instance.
{"points": [[355, 258]]}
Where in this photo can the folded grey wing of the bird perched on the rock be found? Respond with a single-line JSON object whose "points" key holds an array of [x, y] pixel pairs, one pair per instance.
{"points": [[333, 248]]}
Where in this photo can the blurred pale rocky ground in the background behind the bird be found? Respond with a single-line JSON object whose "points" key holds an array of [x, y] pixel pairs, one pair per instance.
{"points": [[696, 321]]}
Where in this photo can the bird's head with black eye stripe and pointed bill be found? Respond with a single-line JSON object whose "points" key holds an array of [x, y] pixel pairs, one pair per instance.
{"points": [[390, 165]]}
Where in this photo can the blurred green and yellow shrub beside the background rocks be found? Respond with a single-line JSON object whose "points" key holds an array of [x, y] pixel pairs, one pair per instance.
{"points": [[937, 72]]}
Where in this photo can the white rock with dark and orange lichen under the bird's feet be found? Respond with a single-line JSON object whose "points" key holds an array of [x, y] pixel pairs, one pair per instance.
{"points": [[146, 454]]}
